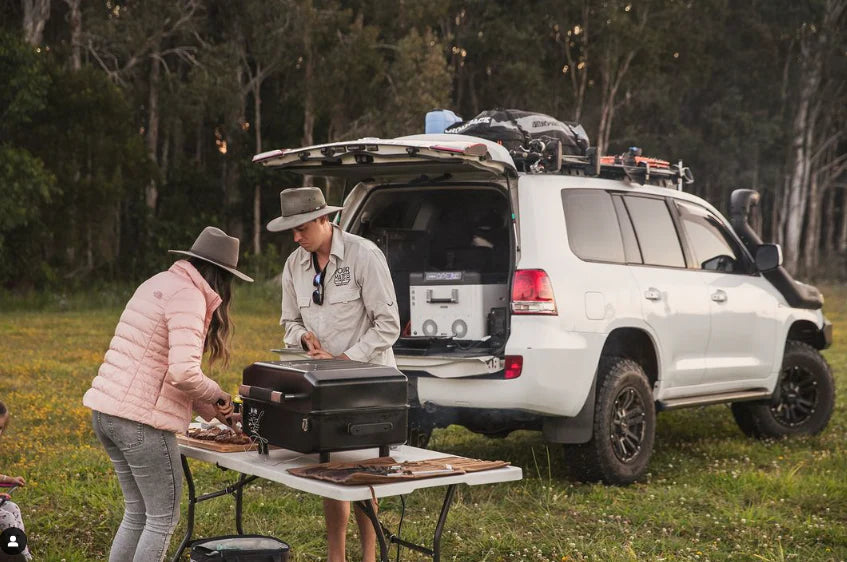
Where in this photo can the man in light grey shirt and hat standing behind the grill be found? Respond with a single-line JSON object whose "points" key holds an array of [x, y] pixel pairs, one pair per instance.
{"points": [[337, 302]]}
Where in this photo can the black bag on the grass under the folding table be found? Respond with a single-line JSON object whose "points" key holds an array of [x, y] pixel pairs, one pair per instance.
{"points": [[239, 548]]}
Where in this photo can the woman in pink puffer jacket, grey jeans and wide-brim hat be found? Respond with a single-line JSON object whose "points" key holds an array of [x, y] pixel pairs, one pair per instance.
{"points": [[151, 379]]}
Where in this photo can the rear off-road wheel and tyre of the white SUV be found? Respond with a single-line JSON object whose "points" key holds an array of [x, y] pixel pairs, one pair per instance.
{"points": [[624, 427]]}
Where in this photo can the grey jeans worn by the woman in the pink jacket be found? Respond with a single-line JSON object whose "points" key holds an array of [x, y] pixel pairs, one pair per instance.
{"points": [[147, 463]]}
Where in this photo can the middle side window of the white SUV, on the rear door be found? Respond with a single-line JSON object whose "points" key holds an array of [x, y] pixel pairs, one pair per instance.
{"points": [[655, 230]]}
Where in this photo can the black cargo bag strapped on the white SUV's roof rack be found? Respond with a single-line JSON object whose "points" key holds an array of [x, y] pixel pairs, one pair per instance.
{"points": [[514, 128]]}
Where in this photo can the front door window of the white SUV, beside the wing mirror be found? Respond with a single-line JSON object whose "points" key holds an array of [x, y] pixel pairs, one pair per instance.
{"points": [[714, 249]]}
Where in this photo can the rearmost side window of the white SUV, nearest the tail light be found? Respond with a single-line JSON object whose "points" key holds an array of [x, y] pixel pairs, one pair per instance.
{"points": [[592, 225]]}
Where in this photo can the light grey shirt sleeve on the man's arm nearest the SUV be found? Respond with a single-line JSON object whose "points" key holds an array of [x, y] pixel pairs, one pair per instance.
{"points": [[381, 306]]}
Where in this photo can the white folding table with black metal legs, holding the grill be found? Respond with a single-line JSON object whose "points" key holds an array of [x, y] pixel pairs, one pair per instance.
{"points": [[275, 465]]}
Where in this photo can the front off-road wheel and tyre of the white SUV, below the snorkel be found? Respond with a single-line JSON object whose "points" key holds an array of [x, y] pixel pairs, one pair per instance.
{"points": [[802, 402]]}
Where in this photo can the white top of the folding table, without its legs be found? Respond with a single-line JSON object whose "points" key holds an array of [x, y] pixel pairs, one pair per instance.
{"points": [[275, 465]]}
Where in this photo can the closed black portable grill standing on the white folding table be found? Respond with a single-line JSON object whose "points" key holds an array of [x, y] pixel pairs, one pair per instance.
{"points": [[320, 406]]}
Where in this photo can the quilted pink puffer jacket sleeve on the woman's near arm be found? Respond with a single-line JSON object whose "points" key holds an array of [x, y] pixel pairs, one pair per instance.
{"points": [[184, 315]]}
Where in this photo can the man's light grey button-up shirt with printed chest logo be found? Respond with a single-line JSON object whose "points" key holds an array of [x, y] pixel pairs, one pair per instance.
{"points": [[358, 316]]}
